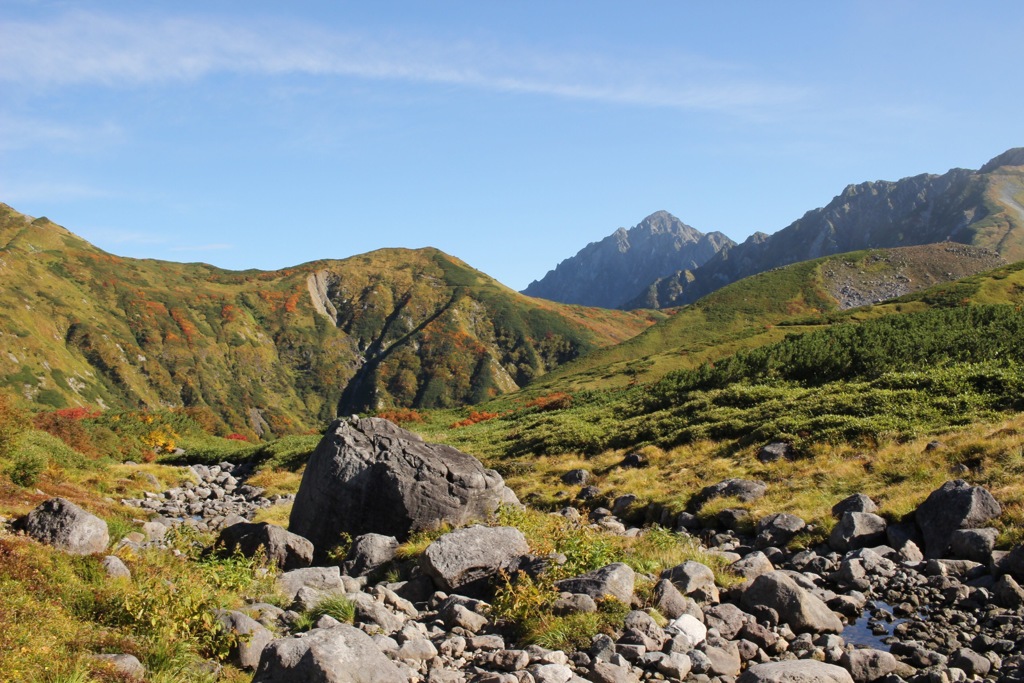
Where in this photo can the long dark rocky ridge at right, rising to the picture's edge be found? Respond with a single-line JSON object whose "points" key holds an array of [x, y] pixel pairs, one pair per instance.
{"points": [[983, 208]]}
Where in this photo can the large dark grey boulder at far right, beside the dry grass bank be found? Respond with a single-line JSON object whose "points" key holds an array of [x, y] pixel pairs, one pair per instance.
{"points": [[954, 506]]}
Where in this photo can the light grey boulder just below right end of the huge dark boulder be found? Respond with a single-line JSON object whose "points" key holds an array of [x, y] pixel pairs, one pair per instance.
{"points": [[465, 561]]}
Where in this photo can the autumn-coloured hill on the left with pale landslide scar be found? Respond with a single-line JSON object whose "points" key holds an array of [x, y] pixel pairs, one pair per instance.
{"points": [[272, 353]]}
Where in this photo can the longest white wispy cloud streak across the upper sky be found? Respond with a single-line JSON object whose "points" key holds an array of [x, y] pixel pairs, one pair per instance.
{"points": [[92, 49]]}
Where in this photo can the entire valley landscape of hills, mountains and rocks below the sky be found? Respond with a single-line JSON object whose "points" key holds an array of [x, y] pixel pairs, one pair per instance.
{"points": [[397, 456]]}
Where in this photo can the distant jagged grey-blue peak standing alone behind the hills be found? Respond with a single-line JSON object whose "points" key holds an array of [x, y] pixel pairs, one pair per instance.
{"points": [[612, 273]]}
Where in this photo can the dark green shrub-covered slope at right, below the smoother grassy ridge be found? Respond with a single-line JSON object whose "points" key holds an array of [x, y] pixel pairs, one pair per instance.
{"points": [[937, 360]]}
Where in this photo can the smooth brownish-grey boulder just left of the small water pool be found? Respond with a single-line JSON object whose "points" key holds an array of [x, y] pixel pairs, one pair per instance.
{"points": [[802, 611]]}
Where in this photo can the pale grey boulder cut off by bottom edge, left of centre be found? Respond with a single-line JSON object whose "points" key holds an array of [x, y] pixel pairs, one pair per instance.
{"points": [[339, 655]]}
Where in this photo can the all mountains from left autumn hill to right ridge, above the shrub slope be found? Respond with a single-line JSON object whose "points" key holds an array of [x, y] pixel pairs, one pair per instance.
{"points": [[274, 353]]}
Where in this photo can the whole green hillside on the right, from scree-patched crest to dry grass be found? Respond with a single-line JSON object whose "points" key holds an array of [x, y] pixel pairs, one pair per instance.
{"points": [[777, 359]]}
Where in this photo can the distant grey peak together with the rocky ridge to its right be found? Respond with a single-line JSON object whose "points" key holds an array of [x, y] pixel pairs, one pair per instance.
{"points": [[984, 208]]}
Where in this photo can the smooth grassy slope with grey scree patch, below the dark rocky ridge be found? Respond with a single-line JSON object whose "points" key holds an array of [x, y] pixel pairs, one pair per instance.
{"points": [[764, 309]]}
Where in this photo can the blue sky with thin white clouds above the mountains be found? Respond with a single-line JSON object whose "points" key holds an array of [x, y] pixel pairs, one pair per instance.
{"points": [[267, 135]]}
